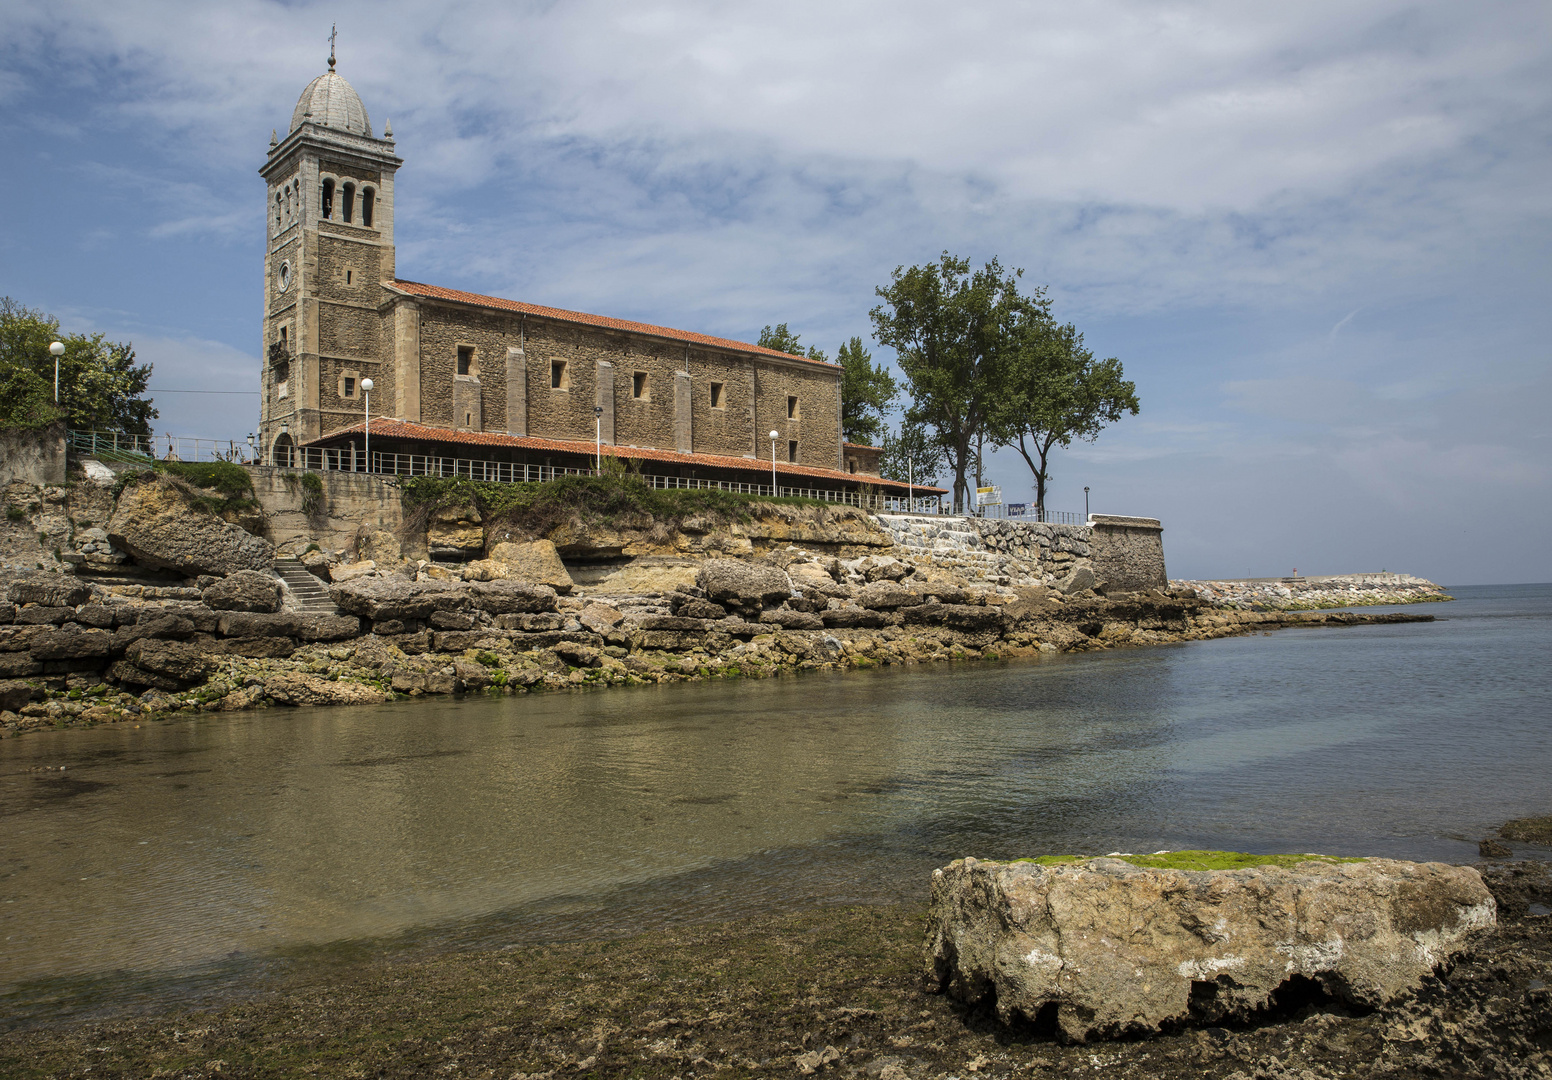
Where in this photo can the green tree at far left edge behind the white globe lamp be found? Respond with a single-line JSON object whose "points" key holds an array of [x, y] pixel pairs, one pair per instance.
{"points": [[100, 386]]}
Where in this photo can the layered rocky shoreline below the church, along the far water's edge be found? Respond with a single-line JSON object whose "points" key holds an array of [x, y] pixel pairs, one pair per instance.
{"points": [[77, 654]]}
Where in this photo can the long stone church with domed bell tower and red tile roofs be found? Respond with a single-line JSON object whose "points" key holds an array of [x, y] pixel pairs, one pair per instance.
{"points": [[457, 376]]}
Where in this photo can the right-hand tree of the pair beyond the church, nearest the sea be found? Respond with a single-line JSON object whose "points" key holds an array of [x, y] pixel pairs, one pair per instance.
{"points": [[1055, 392]]}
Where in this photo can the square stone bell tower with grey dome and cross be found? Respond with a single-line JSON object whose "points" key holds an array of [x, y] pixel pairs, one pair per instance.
{"points": [[328, 255]]}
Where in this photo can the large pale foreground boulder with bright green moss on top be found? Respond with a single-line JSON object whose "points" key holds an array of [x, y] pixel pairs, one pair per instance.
{"points": [[1107, 949]]}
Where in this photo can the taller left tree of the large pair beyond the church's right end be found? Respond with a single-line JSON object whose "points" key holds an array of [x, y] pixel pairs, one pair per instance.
{"points": [[954, 331]]}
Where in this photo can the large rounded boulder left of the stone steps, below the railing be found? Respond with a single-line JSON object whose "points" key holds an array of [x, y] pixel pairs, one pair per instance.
{"points": [[161, 530]]}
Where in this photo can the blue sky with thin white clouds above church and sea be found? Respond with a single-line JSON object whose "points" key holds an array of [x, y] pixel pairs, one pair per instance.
{"points": [[1318, 237]]}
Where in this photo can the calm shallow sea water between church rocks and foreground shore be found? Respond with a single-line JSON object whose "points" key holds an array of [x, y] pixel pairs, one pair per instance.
{"points": [[176, 860]]}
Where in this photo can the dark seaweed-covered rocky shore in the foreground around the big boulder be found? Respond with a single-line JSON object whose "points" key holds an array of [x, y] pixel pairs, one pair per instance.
{"points": [[831, 992]]}
